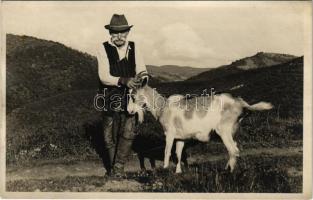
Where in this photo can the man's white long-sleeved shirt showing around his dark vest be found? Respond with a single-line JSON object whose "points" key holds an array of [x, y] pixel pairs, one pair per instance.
{"points": [[104, 65]]}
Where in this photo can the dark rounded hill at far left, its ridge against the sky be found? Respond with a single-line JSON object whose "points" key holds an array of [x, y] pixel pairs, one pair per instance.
{"points": [[38, 69]]}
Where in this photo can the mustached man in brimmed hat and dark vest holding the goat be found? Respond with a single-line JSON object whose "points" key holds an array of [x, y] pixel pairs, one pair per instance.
{"points": [[120, 68]]}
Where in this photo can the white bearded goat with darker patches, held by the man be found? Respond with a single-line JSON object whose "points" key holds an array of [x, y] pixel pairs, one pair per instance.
{"points": [[183, 118]]}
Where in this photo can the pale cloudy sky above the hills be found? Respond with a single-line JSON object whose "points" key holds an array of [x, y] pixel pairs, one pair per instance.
{"points": [[198, 34]]}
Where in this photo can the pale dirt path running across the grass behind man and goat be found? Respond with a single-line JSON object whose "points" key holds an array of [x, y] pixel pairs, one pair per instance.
{"points": [[95, 168]]}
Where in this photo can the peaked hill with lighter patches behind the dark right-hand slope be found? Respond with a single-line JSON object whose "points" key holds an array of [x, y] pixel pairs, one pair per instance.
{"points": [[259, 60]]}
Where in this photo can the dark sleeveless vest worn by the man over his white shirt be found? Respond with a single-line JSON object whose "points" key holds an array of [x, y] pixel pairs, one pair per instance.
{"points": [[119, 67]]}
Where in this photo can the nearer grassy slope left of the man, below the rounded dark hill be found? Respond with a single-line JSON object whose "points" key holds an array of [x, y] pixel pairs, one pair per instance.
{"points": [[51, 128]]}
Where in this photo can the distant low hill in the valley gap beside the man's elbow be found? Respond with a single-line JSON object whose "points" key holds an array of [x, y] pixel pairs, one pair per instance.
{"points": [[170, 73]]}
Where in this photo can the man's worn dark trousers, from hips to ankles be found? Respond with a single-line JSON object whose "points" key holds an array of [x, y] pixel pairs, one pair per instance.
{"points": [[118, 137]]}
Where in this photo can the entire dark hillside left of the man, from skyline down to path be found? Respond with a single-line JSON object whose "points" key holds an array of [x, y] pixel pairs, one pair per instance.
{"points": [[50, 90]]}
